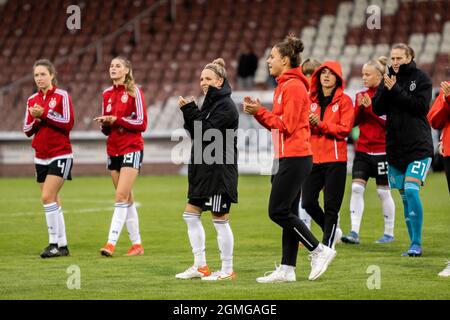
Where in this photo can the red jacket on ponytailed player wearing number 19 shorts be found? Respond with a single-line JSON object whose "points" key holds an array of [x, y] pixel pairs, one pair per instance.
{"points": [[125, 134]]}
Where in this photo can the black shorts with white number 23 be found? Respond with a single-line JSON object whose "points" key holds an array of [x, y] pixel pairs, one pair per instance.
{"points": [[374, 166]]}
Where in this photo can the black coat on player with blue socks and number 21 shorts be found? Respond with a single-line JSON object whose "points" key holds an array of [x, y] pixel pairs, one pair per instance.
{"points": [[406, 105]]}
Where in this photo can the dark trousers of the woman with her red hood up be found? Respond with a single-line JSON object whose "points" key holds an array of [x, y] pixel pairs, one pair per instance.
{"points": [[331, 178]]}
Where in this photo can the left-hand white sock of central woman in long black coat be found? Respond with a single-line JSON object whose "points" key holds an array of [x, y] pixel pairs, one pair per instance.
{"points": [[196, 235]]}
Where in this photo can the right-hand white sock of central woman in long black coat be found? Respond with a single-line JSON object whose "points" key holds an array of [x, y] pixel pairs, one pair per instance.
{"points": [[225, 241]]}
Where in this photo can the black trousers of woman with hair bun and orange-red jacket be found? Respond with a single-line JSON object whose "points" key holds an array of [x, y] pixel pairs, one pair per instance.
{"points": [[283, 206]]}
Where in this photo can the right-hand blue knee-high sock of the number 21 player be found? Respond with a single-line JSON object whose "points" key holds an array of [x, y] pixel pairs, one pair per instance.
{"points": [[415, 211]]}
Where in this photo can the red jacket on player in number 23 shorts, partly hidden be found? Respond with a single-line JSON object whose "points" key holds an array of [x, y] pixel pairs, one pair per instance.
{"points": [[372, 128]]}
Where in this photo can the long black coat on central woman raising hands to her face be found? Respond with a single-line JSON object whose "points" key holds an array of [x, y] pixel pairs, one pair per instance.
{"points": [[217, 173]]}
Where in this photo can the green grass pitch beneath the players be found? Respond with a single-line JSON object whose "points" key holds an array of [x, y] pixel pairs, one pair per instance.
{"points": [[88, 206]]}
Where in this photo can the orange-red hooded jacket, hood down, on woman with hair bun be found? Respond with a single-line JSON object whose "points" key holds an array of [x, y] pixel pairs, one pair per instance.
{"points": [[289, 116]]}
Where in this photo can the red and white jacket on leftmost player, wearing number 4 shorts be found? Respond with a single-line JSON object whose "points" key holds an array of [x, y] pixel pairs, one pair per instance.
{"points": [[51, 134]]}
